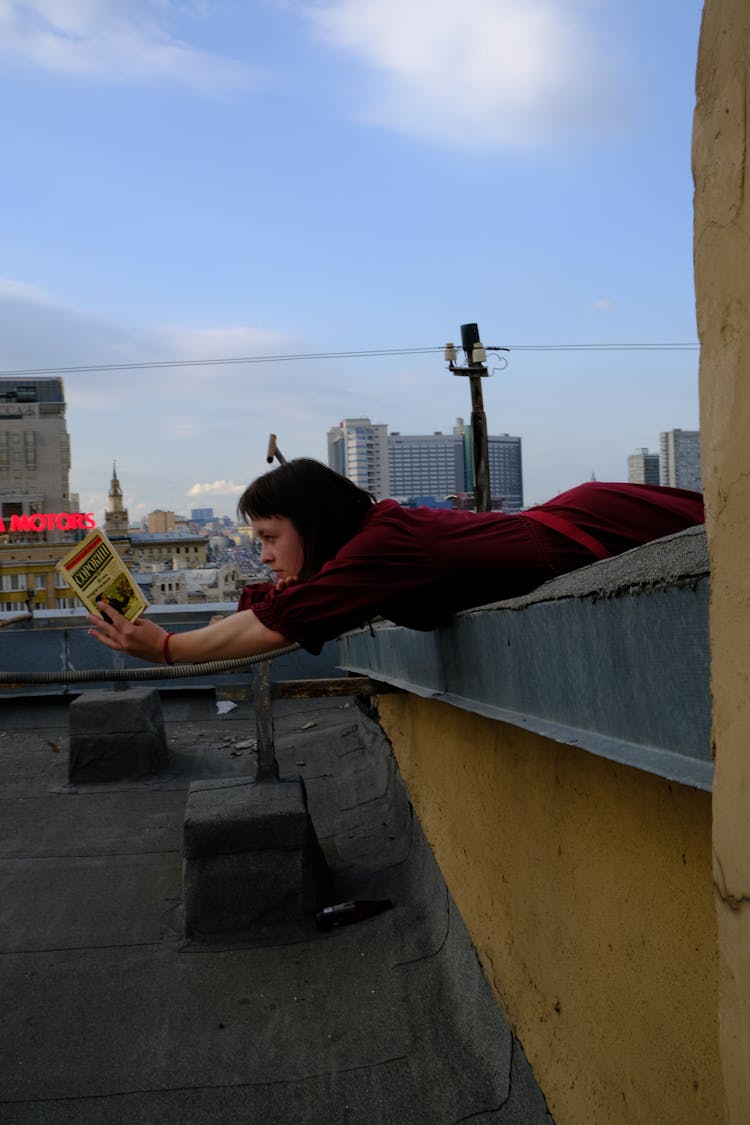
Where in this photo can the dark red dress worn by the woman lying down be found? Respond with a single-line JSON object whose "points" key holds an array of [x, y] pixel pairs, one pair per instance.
{"points": [[419, 566]]}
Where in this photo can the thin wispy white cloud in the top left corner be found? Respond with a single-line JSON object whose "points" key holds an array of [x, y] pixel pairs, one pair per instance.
{"points": [[111, 40]]}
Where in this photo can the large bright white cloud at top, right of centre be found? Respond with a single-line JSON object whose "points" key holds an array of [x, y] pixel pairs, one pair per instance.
{"points": [[481, 73]]}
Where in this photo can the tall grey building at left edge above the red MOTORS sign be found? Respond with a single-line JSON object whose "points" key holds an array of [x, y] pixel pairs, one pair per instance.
{"points": [[35, 455]]}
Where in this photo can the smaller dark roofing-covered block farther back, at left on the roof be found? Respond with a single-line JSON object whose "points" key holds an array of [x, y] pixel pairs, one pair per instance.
{"points": [[115, 736]]}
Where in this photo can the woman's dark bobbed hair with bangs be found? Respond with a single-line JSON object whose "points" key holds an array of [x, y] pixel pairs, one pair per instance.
{"points": [[327, 509]]}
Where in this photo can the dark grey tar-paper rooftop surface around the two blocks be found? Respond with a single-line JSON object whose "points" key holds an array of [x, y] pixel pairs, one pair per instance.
{"points": [[111, 1015]]}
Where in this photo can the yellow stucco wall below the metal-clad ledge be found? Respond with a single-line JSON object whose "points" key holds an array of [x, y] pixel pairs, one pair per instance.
{"points": [[586, 887]]}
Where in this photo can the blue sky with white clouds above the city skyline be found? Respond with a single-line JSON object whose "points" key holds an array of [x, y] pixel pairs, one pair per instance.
{"points": [[200, 181]]}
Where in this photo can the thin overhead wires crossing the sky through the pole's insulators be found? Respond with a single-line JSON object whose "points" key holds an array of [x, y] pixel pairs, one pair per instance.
{"points": [[228, 361]]}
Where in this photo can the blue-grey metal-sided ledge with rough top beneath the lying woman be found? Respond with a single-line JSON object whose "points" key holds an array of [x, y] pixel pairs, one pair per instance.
{"points": [[613, 659]]}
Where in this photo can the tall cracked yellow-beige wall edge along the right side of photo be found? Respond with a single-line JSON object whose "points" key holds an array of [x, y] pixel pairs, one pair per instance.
{"points": [[721, 164]]}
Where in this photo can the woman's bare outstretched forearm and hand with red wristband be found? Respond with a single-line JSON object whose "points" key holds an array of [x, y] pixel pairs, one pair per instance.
{"points": [[239, 635]]}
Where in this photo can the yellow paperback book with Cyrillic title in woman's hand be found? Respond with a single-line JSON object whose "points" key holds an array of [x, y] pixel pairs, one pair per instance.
{"points": [[96, 573]]}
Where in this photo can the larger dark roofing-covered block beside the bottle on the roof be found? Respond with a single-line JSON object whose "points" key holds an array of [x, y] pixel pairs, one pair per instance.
{"points": [[251, 858]]}
